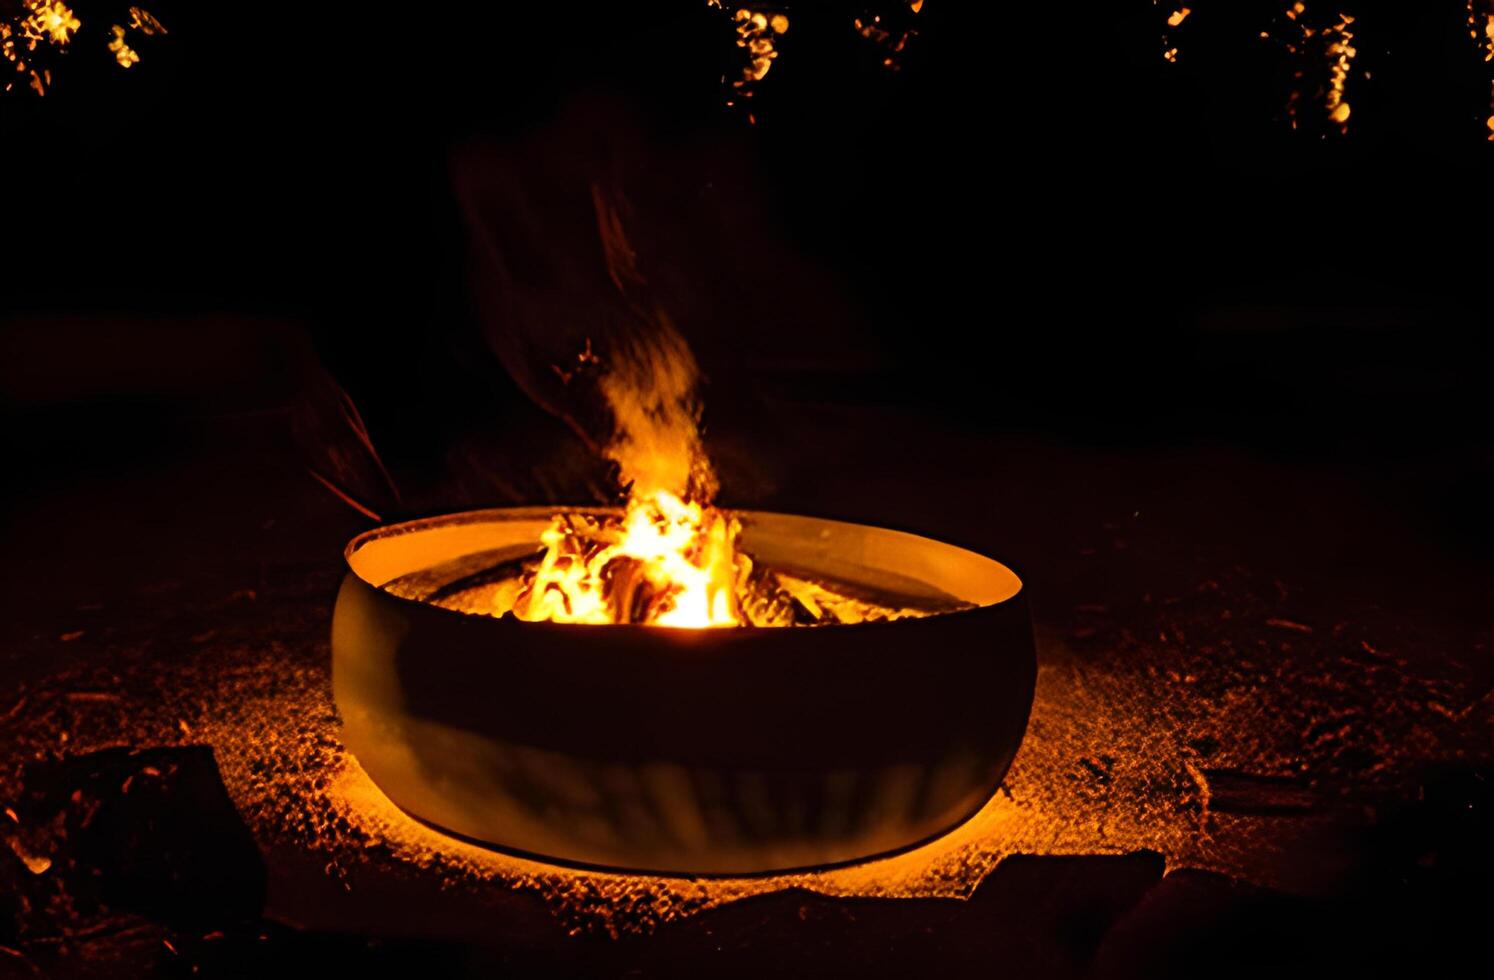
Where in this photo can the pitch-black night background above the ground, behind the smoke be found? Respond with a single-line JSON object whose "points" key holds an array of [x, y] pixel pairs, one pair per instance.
{"points": [[1038, 225]]}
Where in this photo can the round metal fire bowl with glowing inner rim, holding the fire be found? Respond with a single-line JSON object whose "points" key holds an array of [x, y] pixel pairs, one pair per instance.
{"points": [[686, 751]]}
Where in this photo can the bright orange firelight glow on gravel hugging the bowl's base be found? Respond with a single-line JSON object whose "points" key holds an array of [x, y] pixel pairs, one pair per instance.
{"points": [[301, 790]]}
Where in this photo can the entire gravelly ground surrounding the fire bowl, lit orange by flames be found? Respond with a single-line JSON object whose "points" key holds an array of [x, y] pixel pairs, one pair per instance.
{"points": [[1247, 670]]}
